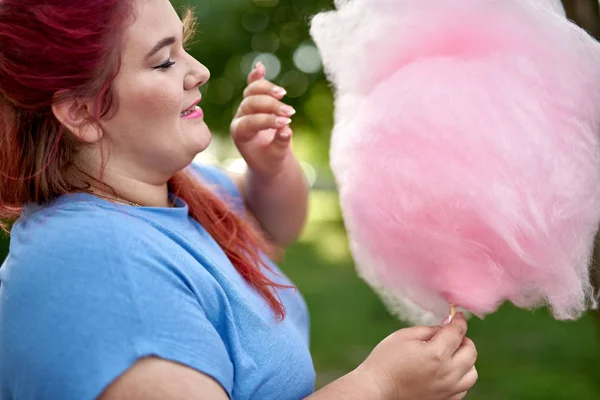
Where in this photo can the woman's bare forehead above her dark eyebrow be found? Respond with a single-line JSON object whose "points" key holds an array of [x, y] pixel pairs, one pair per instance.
{"points": [[152, 21]]}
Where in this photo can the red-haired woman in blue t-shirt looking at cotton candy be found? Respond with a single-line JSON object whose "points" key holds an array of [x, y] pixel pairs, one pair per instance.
{"points": [[134, 274]]}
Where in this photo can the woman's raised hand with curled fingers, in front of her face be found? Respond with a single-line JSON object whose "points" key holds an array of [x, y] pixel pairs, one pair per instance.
{"points": [[260, 129]]}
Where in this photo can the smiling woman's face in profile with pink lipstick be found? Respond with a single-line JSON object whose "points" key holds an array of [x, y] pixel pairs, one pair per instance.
{"points": [[152, 135]]}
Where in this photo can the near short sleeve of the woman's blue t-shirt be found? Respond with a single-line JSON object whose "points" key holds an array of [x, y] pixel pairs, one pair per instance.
{"points": [[81, 310]]}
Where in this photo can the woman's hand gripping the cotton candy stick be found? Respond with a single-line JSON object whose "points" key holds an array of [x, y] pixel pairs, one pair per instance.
{"points": [[433, 363]]}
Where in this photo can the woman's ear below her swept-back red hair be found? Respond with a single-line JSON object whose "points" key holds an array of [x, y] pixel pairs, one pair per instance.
{"points": [[76, 116]]}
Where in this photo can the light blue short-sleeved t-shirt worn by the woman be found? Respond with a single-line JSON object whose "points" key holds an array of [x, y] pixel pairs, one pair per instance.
{"points": [[91, 286]]}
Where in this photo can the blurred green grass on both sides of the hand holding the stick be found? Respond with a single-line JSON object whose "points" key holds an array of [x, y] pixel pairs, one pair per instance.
{"points": [[522, 354]]}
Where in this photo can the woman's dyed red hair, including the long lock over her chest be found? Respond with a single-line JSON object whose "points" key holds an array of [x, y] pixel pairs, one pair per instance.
{"points": [[55, 50]]}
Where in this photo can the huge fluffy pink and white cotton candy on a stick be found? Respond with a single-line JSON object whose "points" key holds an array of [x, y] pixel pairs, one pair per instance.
{"points": [[465, 150]]}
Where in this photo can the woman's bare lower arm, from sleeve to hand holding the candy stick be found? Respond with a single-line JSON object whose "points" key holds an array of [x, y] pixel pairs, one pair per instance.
{"points": [[432, 363]]}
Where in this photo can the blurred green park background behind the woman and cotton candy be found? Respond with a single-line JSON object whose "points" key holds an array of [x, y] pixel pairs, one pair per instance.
{"points": [[522, 355]]}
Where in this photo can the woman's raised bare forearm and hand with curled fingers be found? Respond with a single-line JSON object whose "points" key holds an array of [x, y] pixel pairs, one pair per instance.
{"points": [[274, 188]]}
